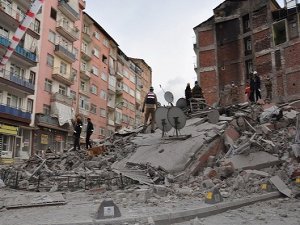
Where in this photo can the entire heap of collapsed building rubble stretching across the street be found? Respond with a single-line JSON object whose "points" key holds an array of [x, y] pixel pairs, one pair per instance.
{"points": [[239, 155]]}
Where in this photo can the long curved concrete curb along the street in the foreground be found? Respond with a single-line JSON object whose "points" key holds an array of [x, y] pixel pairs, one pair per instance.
{"points": [[182, 216]]}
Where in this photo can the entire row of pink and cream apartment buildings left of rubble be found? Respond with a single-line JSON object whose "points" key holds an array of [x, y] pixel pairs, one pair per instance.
{"points": [[65, 66]]}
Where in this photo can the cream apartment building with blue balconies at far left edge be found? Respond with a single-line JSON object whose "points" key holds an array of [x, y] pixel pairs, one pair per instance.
{"points": [[17, 81]]}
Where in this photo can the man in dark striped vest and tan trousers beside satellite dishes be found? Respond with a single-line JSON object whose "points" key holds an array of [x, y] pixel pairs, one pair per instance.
{"points": [[150, 102]]}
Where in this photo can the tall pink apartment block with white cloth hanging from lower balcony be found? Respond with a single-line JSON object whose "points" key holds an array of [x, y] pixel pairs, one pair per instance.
{"points": [[58, 79]]}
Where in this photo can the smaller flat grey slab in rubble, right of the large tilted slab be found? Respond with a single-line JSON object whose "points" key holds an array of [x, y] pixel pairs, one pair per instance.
{"points": [[257, 160]]}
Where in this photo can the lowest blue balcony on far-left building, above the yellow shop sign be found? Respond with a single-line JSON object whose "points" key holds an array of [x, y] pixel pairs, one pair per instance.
{"points": [[14, 113]]}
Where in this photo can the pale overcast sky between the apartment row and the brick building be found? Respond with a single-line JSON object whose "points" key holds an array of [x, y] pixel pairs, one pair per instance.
{"points": [[158, 31]]}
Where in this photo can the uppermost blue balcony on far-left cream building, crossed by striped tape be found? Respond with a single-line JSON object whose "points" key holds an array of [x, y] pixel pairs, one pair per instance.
{"points": [[21, 54]]}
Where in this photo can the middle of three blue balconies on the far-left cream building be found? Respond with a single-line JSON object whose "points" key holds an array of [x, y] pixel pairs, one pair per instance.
{"points": [[16, 82]]}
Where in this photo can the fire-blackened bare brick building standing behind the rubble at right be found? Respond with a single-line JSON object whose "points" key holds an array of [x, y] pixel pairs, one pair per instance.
{"points": [[243, 36]]}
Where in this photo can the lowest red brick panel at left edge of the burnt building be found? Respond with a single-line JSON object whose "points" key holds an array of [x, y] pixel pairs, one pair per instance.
{"points": [[210, 87]]}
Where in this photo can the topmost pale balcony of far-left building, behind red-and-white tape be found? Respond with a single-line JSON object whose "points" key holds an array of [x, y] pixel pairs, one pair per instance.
{"points": [[12, 18]]}
